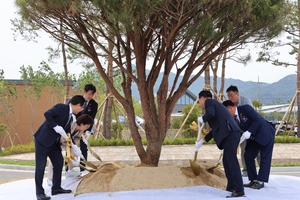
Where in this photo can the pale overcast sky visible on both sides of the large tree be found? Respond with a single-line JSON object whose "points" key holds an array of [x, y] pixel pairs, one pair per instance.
{"points": [[14, 54]]}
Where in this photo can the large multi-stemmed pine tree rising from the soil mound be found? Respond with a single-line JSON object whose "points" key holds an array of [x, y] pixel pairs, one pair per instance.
{"points": [[191, 33]]}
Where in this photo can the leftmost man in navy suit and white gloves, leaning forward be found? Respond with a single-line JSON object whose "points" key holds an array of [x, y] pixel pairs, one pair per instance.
{"points": [[47, 143]]}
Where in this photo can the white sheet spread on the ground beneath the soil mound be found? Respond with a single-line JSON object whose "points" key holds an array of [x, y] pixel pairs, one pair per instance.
{"points": [[279, 187]]}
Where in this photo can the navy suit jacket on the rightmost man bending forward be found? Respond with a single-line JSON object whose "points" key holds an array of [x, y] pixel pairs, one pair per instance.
{"points": [[261, 130]]}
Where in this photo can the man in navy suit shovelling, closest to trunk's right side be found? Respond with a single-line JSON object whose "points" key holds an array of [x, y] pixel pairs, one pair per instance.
{"points": [[226, 134]]}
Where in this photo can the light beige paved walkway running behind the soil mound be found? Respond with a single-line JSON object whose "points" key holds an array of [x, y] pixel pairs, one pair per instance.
{"points": [[179, 154]]}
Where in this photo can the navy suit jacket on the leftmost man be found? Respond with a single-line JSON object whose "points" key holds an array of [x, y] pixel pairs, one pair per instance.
{"points": [[57, 115]]}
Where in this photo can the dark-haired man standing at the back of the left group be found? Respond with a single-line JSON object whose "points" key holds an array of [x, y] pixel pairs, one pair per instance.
{"points": [[90, 108]]}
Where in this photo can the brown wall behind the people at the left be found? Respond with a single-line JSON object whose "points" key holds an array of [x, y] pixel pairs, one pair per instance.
{"points": [[26, 114]]}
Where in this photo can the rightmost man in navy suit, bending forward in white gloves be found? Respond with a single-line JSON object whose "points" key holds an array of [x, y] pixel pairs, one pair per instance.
{"points": [[260, 135]]}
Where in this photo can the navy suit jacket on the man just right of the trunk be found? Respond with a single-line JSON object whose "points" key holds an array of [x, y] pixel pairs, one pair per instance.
{"points": [[220, 120]]}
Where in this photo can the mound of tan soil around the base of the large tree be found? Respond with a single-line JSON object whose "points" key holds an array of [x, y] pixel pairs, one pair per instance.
{"points": [[116, 176]]}
